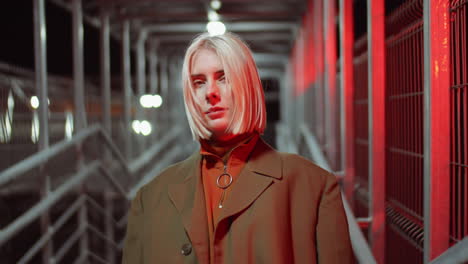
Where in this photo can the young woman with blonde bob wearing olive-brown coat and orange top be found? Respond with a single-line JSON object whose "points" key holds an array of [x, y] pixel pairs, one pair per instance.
{"points": [[236, 200]]}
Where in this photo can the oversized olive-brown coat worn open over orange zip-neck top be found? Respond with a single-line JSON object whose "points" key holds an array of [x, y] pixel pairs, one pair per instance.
{"points": [[281, 209]]}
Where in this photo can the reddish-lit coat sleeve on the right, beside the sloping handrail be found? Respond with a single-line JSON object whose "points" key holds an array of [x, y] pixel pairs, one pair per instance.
{"points": [[333, 242]]}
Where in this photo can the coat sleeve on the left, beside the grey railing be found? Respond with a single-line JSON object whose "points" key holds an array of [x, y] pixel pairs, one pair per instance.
{"points": [[133, 251]]}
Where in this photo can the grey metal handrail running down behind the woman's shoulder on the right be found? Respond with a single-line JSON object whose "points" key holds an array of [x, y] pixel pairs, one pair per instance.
{"points": [[361, 248]]}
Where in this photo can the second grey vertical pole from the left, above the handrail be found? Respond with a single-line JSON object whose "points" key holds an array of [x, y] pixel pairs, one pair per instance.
{"points": [[78, 66]]}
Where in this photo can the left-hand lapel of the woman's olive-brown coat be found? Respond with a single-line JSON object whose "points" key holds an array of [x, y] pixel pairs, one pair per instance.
{"points": [[189, 199]]}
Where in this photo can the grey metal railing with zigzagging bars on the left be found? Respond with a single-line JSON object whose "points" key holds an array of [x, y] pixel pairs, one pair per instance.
{"points": [[84, 201]]}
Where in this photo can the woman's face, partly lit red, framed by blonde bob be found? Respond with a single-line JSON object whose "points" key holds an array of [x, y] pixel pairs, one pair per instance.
{"points": [[212, 93]]}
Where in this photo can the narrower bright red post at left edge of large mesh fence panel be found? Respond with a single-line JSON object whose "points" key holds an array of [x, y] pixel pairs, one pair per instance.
{"points": [[376, 104]]}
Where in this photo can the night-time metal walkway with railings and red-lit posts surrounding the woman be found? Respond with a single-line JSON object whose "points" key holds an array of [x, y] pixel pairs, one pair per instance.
{"points": [[91, 109]]}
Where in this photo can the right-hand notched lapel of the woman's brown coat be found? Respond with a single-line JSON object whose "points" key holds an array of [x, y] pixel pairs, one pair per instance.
{"points": [[263, 166]]}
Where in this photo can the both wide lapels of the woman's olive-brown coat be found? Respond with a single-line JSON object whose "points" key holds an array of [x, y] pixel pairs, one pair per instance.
{"points": [[262, 168]]}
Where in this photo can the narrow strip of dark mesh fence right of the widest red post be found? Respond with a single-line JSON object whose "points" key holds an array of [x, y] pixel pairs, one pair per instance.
{"points": [[458, 121]]}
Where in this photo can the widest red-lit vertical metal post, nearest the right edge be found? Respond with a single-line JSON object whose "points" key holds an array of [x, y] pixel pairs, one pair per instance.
{"points": [[436, 30]]}
